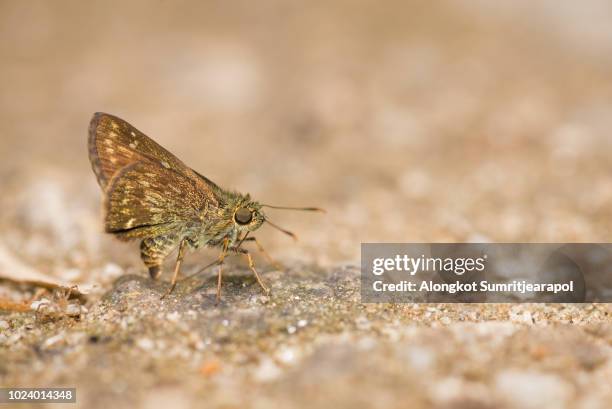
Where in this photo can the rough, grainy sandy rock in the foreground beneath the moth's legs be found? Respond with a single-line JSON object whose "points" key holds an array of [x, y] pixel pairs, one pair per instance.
{"points": [[311, 343]]}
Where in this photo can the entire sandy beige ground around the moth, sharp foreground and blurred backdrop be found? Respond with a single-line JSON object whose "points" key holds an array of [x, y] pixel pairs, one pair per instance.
{"points": [[406, 121]]}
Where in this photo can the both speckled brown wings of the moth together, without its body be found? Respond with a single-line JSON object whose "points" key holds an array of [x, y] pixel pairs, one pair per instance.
{"points": [[149, 192]]}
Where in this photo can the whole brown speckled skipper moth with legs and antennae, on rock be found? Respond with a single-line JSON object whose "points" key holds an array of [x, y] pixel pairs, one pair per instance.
{"points": [[152, 196]]}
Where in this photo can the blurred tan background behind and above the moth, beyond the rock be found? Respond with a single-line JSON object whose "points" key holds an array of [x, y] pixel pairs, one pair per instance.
{"points": [[407, 121]]}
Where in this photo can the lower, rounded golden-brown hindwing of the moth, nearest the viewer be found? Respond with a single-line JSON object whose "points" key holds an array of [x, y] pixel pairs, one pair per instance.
{"points": [[146, 199]]}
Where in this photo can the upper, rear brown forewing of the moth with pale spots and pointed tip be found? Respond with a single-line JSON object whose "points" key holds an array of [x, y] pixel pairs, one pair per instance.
{"points": [[115, 144]]}
